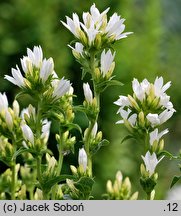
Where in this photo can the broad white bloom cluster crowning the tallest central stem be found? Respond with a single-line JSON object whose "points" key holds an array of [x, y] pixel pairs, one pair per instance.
{"points": [[95, 29]]}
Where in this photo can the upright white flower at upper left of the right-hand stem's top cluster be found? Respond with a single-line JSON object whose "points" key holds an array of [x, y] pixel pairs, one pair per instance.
{"points": [[140, 89]]}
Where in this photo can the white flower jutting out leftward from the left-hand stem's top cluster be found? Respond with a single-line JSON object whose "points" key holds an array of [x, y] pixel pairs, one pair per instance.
{"points": [[17, 78]]}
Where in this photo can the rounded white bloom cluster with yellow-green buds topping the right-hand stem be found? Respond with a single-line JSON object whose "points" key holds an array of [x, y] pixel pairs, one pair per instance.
{"points": [[149, 107]]}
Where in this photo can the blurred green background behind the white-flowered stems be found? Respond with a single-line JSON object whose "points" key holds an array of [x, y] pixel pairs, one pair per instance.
{"points": [[153, 50]]}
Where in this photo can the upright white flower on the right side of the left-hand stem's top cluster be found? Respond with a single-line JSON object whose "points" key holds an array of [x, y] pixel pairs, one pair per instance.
{"points": [[46, 69]]}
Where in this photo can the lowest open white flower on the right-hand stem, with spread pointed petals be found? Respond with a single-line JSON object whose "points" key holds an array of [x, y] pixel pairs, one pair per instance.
{"points": [[151, 162]]}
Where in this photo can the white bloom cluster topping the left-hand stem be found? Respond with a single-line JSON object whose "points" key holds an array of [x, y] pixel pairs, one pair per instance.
{"points": [[38, 71]]}
